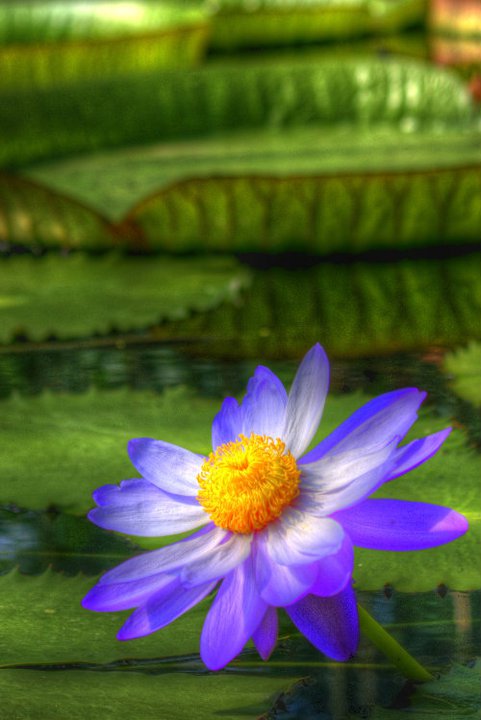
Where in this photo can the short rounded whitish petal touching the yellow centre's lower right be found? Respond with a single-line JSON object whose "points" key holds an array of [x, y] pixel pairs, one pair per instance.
{"points": [[298, 538]]}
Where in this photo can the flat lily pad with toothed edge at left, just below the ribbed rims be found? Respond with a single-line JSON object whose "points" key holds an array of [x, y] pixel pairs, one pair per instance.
{"points": [[78, 296]]}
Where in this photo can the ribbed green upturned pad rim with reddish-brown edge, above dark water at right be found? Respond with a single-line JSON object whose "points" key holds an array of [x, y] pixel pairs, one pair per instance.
{"points": [[329, 213]]}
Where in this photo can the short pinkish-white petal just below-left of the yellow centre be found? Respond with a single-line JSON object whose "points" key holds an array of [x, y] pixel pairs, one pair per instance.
{"points": [[218, 562]]}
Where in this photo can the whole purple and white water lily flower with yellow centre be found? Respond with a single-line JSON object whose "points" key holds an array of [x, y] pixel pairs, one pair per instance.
{"points": [[275, 523]]}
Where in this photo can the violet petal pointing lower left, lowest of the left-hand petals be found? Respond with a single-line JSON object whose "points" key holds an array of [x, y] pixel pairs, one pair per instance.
{"points": [[163, 608]]}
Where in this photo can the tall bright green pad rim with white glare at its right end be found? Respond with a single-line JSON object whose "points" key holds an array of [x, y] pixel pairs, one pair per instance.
{"points": [[275, 92]]}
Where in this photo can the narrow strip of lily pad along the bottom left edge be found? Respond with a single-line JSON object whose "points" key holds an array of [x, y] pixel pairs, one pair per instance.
{"points": [[36, 695]]}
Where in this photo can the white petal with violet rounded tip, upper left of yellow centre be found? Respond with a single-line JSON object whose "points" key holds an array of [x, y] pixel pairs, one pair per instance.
{"points": [[171, 468]]}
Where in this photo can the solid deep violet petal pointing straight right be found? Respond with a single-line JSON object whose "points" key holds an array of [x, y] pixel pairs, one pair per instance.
{"points": [[401, 525]]}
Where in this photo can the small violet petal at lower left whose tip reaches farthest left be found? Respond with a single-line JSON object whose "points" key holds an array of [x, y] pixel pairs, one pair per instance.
{"points": [[124, 596]]}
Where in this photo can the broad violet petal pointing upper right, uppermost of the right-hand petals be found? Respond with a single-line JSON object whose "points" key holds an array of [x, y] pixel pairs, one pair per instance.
{"points": [[376, 423]]}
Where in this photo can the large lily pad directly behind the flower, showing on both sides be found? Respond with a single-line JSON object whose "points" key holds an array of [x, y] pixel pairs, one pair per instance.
{"points": [[90, 451]]}
